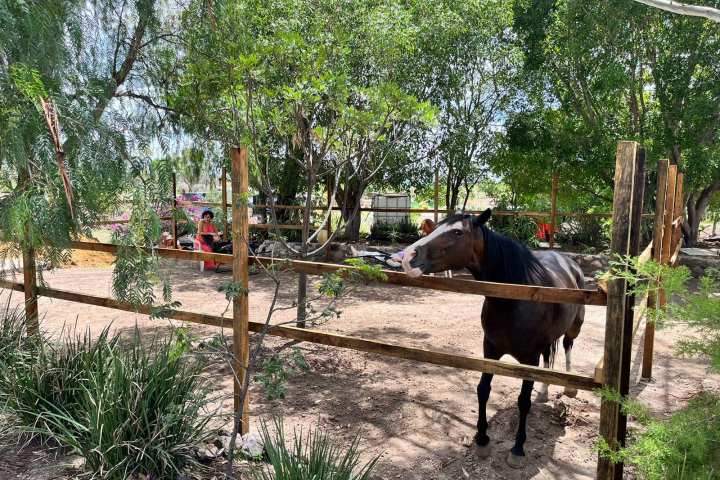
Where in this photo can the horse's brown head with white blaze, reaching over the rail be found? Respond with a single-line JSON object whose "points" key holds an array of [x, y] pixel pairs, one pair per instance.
{"points": [[456, 243]]}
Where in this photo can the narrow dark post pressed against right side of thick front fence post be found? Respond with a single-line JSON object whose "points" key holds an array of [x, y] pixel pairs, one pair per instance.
{"points": [[638, 194]]}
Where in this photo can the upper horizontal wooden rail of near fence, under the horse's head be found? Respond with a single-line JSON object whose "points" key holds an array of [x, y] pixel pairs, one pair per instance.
{"points": [[489, 289]]}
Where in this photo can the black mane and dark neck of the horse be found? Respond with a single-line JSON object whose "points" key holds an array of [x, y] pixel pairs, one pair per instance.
{"points": [[506, 260]]}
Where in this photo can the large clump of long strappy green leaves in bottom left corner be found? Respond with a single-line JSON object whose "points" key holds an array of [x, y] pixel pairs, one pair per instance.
{"points": [[127, 408]]}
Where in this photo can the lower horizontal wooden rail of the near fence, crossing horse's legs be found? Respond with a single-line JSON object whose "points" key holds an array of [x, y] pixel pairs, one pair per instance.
{"points": [[525, 372]]}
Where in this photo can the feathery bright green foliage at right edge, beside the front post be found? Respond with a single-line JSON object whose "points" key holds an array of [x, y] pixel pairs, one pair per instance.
{"points": [[685, 445]]}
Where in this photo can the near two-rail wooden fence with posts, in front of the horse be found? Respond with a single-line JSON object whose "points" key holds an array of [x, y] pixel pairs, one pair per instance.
{"points": [[629, 182]]}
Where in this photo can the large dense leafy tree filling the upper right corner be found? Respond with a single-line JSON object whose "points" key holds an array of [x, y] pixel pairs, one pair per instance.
{"points": [[619, 70]]}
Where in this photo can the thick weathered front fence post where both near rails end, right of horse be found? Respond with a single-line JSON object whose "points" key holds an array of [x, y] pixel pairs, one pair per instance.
{"points": [[610, 419]]}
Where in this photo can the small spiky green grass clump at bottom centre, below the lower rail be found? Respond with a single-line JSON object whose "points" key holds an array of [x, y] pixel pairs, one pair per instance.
{"points": [[312, 456]]}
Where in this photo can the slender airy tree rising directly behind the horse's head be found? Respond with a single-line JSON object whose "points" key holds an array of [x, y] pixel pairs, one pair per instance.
{"points": [[466, 66]]}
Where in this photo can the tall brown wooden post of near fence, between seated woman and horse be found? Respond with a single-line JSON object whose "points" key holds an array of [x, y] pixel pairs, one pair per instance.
{"points": [[240, 237]]}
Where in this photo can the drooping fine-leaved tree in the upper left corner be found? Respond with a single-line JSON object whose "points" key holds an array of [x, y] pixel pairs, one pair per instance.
{"points": [[65, 147]]}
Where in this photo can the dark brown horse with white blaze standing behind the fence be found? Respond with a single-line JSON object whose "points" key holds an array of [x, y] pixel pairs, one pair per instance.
{"points": [[523, 329]]}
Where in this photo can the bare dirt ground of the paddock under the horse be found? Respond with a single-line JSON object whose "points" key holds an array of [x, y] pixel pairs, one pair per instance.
{"points": [[419, 417]]}
